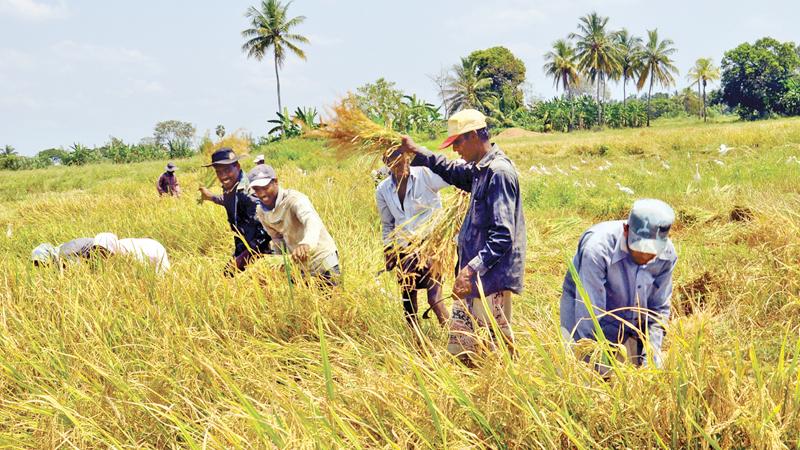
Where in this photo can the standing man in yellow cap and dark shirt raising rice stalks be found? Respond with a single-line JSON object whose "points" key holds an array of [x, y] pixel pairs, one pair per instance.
{"points": [[491, 243]]}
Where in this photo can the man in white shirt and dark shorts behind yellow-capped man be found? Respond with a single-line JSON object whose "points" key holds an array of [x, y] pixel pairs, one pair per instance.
{"points": [[406, 200]]}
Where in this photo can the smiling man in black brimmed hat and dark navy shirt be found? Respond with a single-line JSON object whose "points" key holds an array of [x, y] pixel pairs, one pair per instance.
{"points": [[250, 239]]}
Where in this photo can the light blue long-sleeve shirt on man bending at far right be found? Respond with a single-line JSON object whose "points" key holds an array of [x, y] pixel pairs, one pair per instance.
{"points": [[614, 282]]}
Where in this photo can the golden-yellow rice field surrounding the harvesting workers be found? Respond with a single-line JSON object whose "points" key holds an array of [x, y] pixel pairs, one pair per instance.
{"points": [[113, 356]]}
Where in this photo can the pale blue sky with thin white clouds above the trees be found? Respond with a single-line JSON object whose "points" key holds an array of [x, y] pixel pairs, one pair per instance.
{"points": [[84, 70]]}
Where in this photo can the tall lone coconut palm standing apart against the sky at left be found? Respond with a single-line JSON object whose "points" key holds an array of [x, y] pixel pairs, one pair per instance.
{"points": [[271, 28]]}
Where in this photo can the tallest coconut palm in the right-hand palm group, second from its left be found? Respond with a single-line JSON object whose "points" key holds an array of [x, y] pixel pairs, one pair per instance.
{"points": [[596, 52]]}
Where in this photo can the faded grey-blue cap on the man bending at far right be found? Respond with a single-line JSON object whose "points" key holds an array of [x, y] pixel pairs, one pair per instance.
{"points": [[648, 226]]}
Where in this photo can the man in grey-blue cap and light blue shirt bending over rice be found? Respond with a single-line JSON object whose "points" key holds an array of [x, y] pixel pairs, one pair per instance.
{"points": [[626, 269]]}
